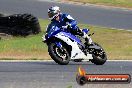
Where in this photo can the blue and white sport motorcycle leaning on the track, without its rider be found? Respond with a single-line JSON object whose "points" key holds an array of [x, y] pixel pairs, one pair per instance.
{"points": [[64, 47]]}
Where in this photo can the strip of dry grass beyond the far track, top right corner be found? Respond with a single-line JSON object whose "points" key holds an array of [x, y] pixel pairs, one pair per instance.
{"points": [[119, 3]]}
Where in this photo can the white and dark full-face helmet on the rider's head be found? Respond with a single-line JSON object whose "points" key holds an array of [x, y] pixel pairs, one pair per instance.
{"points": [[53, 12]]}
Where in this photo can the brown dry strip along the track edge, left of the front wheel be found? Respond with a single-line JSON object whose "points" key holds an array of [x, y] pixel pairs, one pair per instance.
{"points": [[24, 56]]}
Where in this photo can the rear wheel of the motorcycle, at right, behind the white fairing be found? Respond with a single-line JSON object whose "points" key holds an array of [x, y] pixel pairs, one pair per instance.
{"points": [[99, 55]]}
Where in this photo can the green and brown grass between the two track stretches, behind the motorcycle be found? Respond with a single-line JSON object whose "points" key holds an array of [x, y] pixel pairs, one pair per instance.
{"points": [[117, 44]]}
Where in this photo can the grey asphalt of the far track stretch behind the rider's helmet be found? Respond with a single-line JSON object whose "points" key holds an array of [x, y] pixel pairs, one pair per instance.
{"points": [[108, 17]]}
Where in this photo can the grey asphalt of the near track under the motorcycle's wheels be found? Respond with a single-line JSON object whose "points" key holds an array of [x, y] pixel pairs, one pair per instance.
{"points": [[48, 74]]}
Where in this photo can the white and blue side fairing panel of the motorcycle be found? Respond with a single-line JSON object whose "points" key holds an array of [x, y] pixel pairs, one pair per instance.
{"points": [[76, 53]]}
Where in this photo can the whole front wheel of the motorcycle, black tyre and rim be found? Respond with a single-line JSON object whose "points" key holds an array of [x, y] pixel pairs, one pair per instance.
{"points": [[59, 54]]}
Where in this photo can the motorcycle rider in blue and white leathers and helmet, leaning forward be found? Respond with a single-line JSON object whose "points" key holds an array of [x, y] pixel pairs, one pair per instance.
{"points": [[65, 21]]}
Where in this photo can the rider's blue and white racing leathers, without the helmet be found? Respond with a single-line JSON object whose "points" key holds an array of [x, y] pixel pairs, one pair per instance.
{"points": [[67, 22]]}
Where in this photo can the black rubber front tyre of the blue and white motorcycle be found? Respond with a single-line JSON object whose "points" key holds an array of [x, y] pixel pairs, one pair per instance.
{"points": [[54, 54]]}
